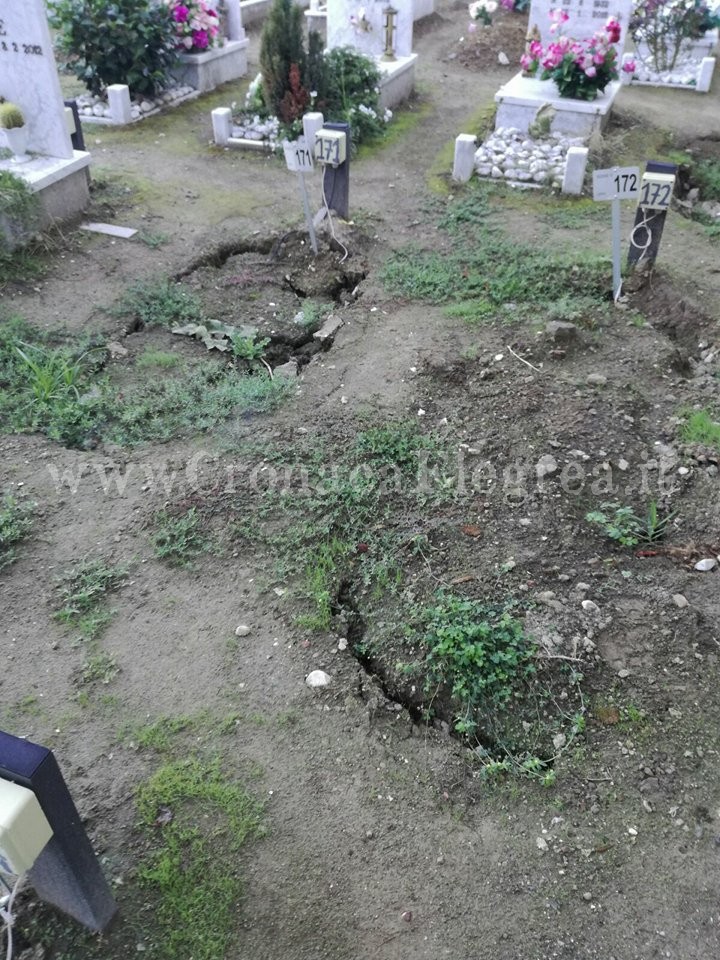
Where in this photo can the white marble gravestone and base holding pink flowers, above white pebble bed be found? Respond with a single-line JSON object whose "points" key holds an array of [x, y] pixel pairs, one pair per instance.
{"points": [[522, 99]]}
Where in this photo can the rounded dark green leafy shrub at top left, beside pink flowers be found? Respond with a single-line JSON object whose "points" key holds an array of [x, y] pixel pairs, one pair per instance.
{"points": [[126, 41]]}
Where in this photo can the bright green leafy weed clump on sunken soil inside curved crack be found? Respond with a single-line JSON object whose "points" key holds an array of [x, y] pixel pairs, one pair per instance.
{"points": [[480, 668]]}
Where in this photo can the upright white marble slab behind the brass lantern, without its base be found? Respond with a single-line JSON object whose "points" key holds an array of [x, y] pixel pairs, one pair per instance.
{"points": [[343, 32]]}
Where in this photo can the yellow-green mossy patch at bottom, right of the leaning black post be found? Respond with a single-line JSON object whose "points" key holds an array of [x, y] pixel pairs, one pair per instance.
{"points": [[197, 822]]}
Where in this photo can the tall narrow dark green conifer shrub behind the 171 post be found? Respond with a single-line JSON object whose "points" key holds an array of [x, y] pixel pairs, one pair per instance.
{"points": [[281, 48]]}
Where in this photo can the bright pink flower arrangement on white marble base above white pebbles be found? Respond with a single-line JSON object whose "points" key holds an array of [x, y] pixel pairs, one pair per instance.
{"points": [[581, 69]]}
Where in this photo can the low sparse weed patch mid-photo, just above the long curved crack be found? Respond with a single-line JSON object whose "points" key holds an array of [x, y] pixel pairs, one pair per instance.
{"points": [[343, 523]]}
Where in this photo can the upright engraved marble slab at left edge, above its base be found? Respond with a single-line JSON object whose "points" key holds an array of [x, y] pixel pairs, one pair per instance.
{"points": [[29, 78]]}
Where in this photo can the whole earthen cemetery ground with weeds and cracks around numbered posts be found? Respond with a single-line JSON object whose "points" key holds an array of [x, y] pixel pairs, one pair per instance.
{"points": [[415, 500]]}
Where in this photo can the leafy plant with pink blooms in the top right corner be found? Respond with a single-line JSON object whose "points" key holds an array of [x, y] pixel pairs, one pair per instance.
{"points": [[666, 26]]}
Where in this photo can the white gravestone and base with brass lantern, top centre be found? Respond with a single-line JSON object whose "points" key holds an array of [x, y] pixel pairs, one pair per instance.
{"points": [[383, 32]]}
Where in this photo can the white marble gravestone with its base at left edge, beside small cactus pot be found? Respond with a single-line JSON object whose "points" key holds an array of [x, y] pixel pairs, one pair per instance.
{"points": [[28, 78]]}
